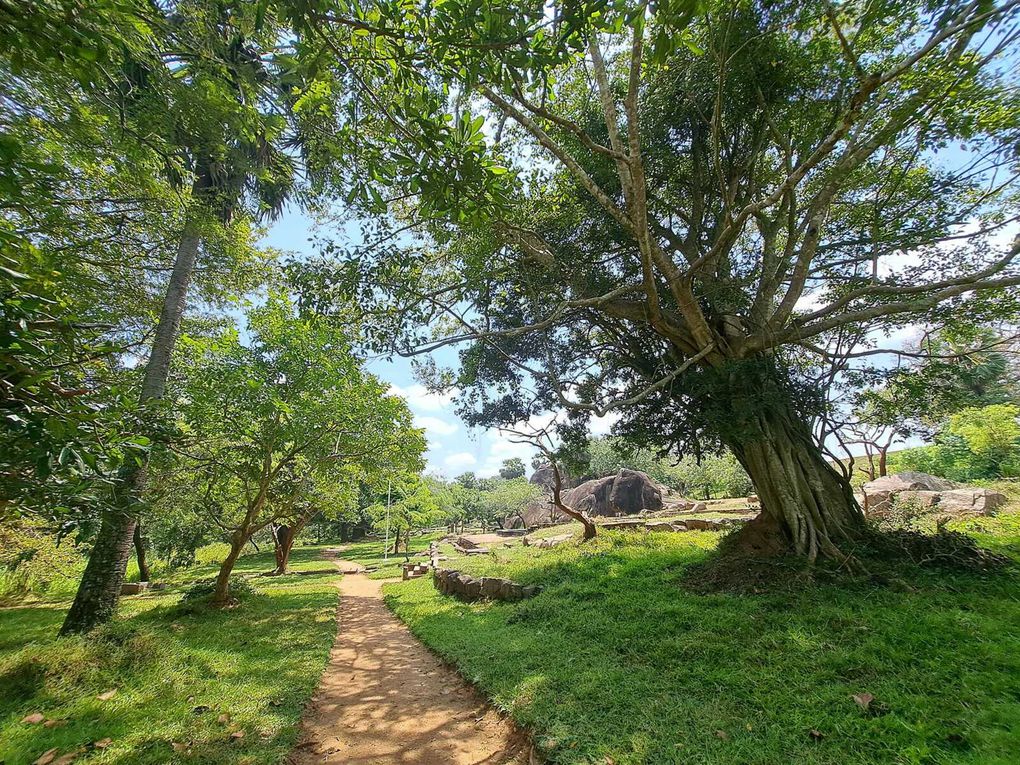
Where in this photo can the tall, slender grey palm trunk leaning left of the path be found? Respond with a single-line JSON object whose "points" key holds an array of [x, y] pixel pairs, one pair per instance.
{"points": [[99, 590]]}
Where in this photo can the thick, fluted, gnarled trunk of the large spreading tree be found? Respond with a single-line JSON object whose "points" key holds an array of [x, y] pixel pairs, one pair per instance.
{"points": [[807, 506]]}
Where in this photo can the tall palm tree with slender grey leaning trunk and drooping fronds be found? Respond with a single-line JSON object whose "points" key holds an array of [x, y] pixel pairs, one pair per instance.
{"points": [[220, 104]]}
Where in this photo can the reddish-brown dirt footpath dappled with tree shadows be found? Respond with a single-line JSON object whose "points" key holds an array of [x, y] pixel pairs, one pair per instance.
{"points": [[385, 698]]}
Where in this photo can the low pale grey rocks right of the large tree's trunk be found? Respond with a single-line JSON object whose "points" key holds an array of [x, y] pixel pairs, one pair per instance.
{"points": [[931, 493]]}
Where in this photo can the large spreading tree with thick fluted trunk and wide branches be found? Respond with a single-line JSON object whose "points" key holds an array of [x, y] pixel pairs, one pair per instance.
{"points": [[658, 210]]}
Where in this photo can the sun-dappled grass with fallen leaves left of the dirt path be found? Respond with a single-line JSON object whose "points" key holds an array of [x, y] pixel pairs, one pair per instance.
{"points": [[260, 662]]}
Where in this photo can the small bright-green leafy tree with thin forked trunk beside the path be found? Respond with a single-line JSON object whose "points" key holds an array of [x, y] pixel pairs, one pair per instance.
{"points": [[270, 423]]}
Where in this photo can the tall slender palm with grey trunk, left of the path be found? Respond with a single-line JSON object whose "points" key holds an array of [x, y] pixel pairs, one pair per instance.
{"points": [[210, 85]]}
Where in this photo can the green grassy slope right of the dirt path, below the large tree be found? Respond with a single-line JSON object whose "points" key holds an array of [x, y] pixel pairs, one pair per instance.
{"points": [[616, 664]]}
